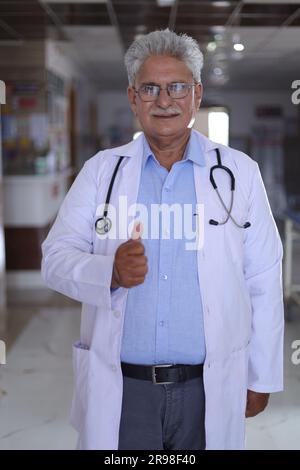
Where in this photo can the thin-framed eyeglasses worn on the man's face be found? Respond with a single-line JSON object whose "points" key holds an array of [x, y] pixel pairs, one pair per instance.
{"points": [[176, 91]]}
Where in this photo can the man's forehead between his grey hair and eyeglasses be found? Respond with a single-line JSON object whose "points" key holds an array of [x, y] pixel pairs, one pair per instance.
{"points": [[163, 69]]}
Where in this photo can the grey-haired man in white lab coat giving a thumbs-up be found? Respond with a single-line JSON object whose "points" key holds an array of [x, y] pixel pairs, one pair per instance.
{"points": [[179, 341]]}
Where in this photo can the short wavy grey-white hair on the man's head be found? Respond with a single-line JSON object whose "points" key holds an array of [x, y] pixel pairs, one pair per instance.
{"points": [[164, 42]]}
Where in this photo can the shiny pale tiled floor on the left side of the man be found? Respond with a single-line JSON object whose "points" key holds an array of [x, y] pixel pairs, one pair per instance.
{"points": [[36, 383]]}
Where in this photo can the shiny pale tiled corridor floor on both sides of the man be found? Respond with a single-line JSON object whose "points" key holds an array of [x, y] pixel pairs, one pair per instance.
{"points": [[36, 383]]}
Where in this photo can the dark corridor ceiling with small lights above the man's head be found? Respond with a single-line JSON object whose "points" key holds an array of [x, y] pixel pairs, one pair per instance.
{"points": [[97, 32]]}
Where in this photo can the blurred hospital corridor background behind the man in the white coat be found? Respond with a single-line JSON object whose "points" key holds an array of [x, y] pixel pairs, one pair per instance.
{"points": [[63, 98]]}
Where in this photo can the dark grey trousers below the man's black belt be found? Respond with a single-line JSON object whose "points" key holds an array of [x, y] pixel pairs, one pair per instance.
{"points": [[162, 417]]}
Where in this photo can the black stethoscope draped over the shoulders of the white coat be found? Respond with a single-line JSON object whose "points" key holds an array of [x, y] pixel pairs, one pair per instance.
{"points": [[103, 224]]}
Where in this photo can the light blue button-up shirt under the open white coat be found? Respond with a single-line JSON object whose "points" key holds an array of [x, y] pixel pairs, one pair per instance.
{"points": [[163, 317]]}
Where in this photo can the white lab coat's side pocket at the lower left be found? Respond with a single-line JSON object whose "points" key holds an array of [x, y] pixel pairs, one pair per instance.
{"points": [[81, 367]]}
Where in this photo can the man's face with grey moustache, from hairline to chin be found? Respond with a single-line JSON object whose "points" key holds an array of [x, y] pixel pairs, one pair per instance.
{"points": [[165, 117]]}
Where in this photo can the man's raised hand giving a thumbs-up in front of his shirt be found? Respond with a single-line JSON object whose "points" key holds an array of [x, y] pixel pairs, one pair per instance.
{"points": [[130, 263]]}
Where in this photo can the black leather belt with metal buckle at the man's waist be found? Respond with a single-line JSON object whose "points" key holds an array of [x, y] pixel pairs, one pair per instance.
{"points": [[162, 373]]}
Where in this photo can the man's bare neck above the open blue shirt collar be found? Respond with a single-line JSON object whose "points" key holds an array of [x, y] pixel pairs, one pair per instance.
{"points": [[170, 150]]}
